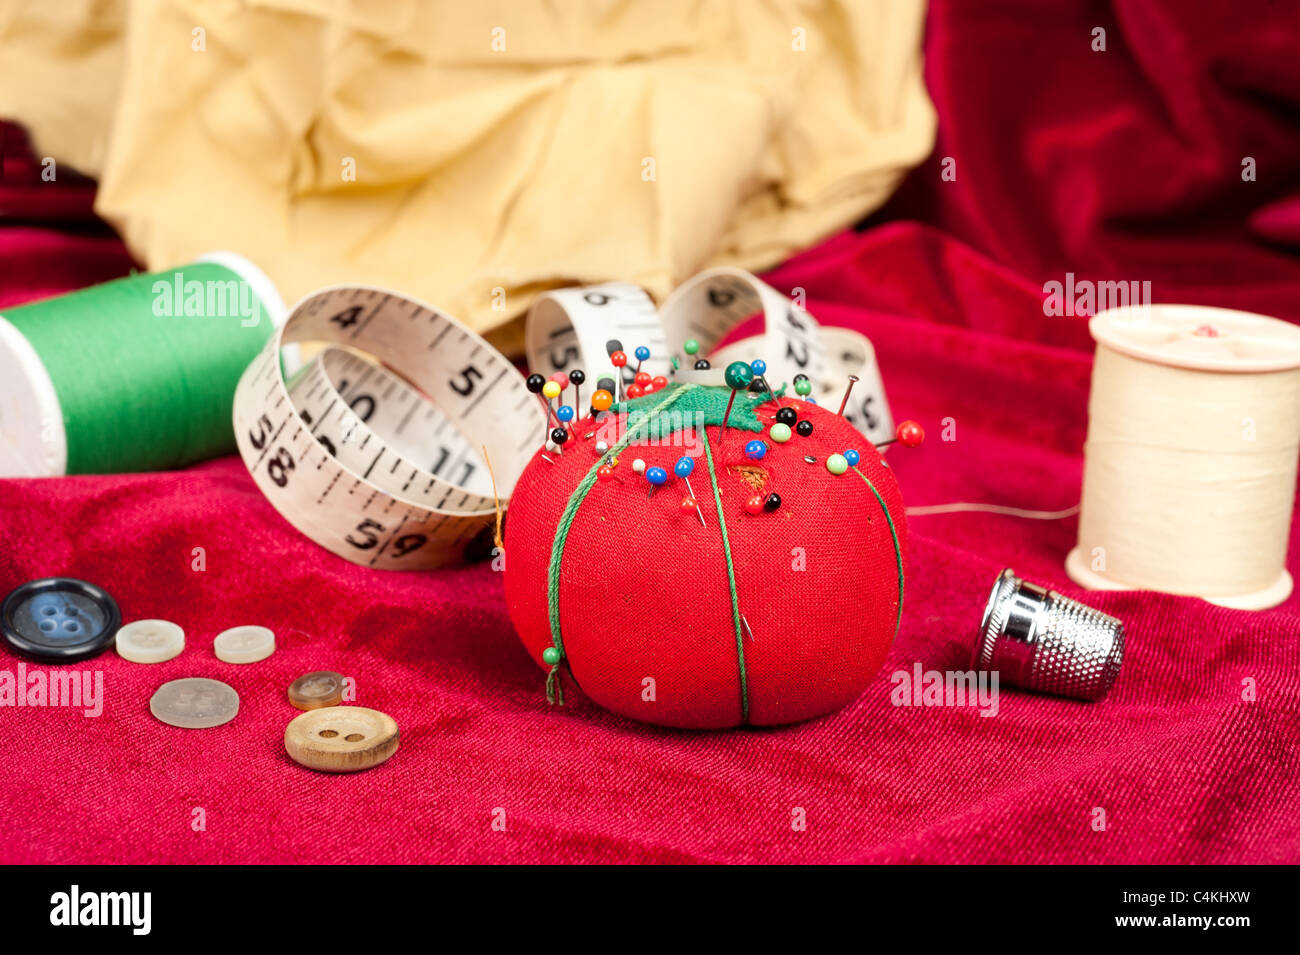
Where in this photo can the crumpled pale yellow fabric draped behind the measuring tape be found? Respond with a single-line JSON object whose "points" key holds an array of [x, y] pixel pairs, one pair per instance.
{"points": [[474, 153]]}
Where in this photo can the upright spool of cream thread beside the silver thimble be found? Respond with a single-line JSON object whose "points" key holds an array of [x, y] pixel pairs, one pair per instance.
{"points": [[1190, 475]]}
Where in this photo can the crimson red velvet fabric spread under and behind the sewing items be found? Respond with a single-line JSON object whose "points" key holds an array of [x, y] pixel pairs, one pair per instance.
{"points": [[1116, 166]]}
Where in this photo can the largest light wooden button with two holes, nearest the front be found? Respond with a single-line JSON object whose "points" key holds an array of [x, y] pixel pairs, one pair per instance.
{"points": [[341, 740]]}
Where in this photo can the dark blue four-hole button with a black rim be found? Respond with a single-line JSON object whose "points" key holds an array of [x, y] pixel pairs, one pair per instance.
{"points": [[59, 619]]}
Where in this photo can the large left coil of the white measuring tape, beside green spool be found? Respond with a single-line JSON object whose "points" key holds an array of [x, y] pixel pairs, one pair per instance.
{"points": [[374, 449]]}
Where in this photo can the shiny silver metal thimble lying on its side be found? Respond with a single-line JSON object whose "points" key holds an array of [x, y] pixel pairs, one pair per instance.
{"points": [[1041, 641]]}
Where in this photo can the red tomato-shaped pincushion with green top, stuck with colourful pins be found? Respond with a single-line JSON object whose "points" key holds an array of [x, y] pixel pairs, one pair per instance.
{"points": [[765, 615]]}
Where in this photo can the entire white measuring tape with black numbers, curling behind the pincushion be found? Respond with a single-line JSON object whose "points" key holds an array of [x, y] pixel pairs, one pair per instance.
{"points": [[375, 448]]}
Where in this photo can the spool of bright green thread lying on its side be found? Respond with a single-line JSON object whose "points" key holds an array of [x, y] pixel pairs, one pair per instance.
{"points": [[135, 375]]}
